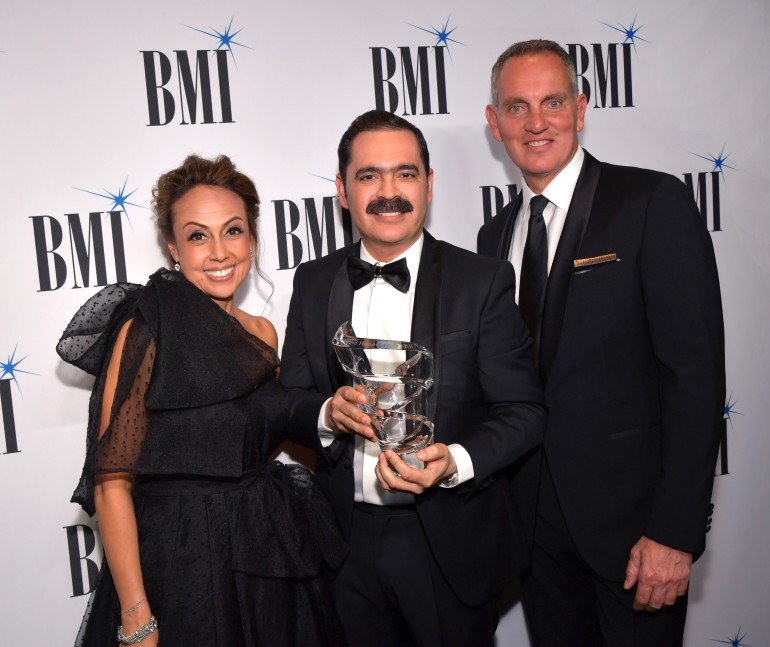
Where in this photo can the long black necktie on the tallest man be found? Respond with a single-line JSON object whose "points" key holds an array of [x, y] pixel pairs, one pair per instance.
{"points": [[534, 270]]}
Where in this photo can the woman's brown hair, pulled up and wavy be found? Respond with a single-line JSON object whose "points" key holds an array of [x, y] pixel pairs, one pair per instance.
{"points": [[196, 171]]}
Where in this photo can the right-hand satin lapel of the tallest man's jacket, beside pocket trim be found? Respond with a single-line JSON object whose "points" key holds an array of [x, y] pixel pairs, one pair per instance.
{"points": [[561, 270]]}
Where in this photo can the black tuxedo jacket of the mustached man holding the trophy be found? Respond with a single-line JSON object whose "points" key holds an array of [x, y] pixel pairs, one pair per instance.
{"points": [[486, 397]]}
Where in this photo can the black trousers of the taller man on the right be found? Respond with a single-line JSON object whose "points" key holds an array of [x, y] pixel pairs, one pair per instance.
{"points": [[566, 604]]}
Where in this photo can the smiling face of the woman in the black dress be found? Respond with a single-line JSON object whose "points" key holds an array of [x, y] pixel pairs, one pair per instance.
{"points": [[212, 241]]}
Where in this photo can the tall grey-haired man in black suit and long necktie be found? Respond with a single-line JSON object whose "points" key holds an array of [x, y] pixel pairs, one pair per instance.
{"points": [[618, 284]]}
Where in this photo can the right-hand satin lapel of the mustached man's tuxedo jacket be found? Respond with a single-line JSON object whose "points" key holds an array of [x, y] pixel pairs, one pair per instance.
{"points": [[426, 324]]}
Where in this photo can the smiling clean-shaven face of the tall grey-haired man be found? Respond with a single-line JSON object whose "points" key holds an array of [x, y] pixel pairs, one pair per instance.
{"points": [[538, 116]]}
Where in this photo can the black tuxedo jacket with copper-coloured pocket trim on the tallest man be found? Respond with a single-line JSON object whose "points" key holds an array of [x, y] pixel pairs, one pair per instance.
{"points": [[632, 363]]}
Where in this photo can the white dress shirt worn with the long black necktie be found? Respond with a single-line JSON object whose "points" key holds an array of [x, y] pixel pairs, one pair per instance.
{"points": [[559, 193]]}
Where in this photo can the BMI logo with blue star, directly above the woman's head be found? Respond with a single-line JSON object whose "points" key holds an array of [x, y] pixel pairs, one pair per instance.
{"points": [[193, 86]]}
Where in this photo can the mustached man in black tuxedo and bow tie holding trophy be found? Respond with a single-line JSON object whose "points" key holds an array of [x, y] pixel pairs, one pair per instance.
{"points": [[430, 549]]}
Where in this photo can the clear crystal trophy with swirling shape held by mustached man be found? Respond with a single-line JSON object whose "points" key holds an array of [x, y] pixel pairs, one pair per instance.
{"points": [[395, 376]]}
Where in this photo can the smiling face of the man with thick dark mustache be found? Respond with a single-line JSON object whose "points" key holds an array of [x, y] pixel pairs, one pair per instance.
{"points": [[387, 190]]}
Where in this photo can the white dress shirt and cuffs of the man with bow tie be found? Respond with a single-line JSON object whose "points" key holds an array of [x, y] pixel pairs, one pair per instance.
{"points": [[382, 312]]}
